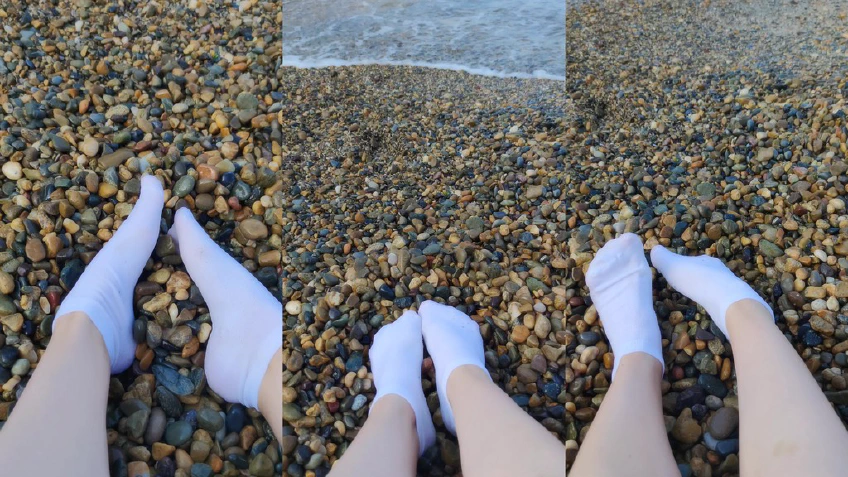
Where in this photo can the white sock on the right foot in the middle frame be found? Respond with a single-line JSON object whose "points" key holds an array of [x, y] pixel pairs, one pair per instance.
{"points": [[453, 339]]}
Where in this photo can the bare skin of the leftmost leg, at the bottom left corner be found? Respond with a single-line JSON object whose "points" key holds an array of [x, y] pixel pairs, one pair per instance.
{"points": [[62, 412]]}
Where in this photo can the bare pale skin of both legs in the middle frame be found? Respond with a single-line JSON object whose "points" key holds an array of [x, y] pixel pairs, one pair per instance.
{"points": [[387, 445]]}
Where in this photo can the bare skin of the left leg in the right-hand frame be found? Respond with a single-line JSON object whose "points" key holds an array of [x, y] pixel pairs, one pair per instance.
{"points": [[629, 426]]}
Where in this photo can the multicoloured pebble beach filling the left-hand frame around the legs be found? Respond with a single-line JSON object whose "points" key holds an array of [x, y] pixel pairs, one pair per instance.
{"points": [[92, 95]]}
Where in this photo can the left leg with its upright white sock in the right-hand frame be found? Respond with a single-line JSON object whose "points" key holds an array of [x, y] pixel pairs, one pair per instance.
{"points": [[628, 434]]}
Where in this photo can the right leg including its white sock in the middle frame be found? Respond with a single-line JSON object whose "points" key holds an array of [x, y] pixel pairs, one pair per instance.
{"points": [[496, 437]]}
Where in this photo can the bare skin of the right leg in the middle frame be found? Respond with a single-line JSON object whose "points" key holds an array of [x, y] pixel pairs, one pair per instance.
{"points": [[496, 437]]}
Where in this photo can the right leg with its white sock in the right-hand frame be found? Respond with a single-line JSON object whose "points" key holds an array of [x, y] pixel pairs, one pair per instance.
{"points": [[787, 427]]}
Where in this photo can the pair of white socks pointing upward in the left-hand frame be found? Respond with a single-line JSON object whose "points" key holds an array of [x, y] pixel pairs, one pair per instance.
{"points": [[246, 318]]}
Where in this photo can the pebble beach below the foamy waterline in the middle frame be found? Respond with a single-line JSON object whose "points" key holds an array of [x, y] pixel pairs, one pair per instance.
{"points": [[408, 184]]}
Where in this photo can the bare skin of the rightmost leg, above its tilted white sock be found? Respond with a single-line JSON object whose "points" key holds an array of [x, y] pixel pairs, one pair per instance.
{"points": [[787, 426]]}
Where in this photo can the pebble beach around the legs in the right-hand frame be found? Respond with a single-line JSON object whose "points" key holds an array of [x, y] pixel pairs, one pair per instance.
{"points": [[716, 137]]}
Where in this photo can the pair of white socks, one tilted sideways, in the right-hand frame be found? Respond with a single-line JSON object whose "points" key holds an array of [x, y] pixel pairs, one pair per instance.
{"points": [[619, 281]]}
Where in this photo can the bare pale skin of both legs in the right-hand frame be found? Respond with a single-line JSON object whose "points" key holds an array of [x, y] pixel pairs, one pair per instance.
{"points": [[787, 426]]}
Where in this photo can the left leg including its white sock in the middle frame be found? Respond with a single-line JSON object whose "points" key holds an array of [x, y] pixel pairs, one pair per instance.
{"points": [[399, 427]]}
